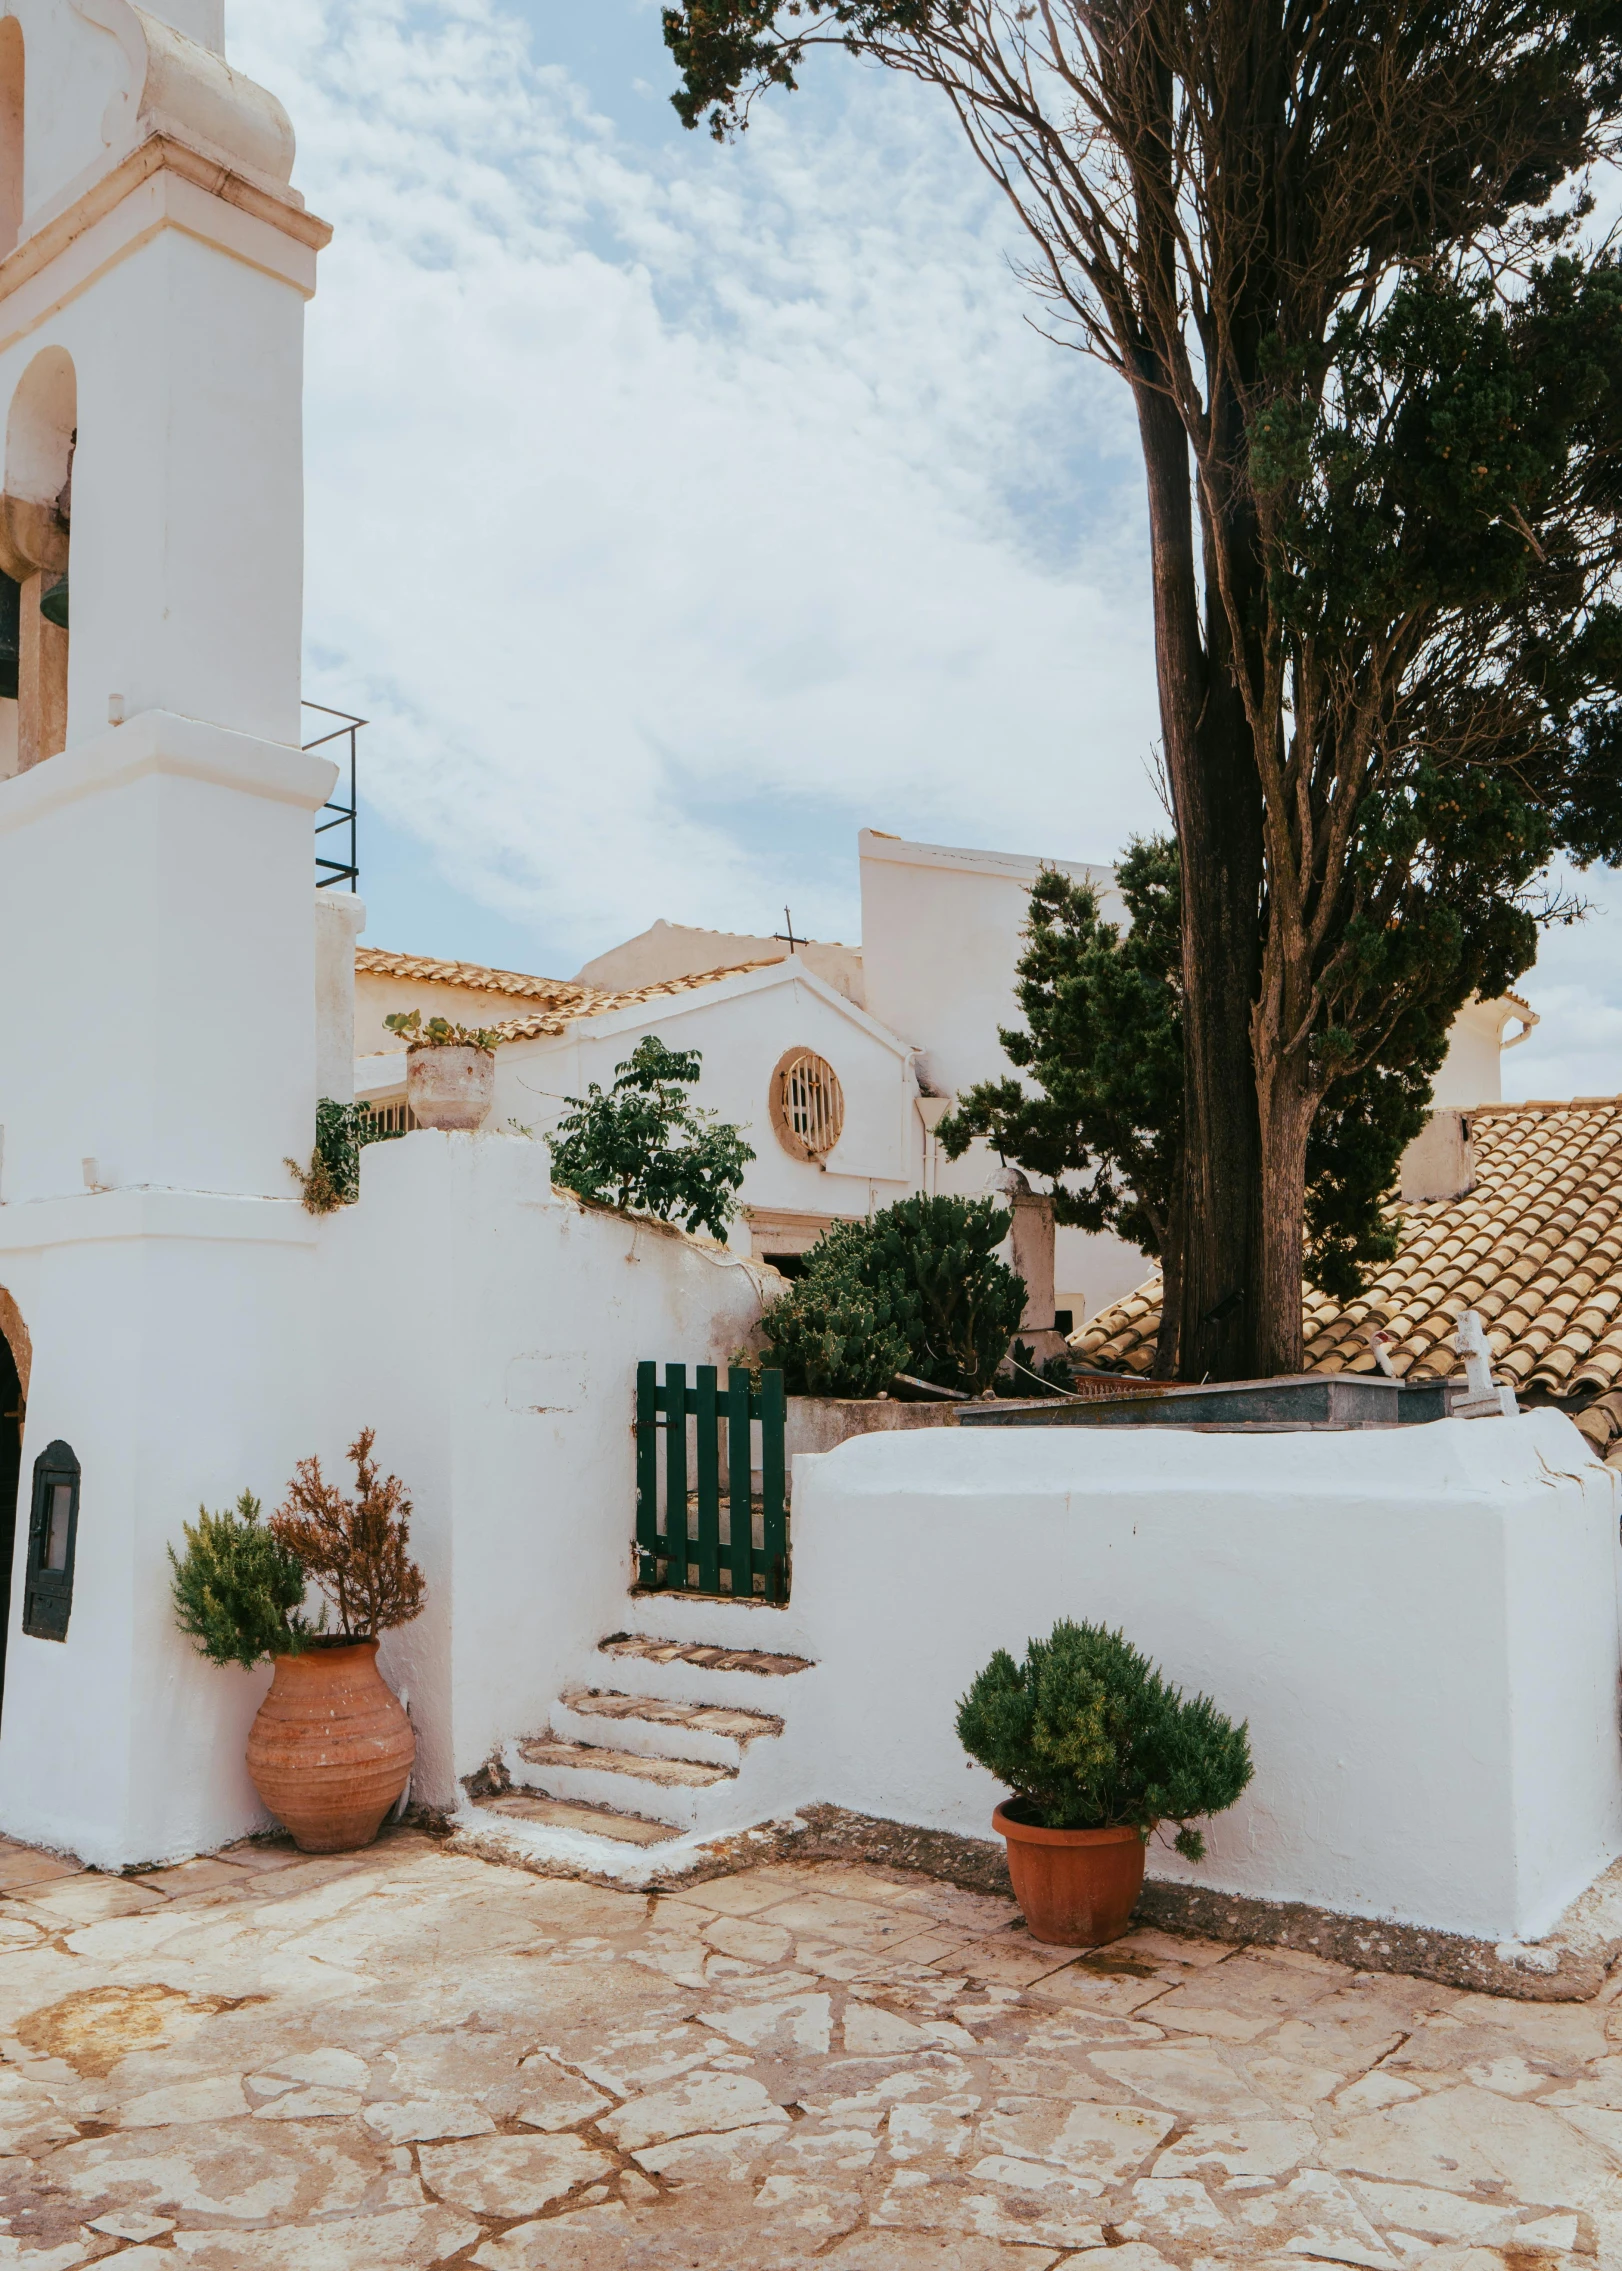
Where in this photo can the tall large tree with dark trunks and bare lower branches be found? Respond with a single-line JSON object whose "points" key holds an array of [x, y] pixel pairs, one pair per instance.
{"points": [[1378, 401]]}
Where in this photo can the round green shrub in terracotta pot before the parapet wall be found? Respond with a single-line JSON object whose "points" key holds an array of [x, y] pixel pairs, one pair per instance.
{"points": [[1098, 1752]]}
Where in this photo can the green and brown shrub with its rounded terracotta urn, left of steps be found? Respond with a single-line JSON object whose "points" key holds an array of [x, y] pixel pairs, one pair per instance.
{"points": [[333, 1748]]}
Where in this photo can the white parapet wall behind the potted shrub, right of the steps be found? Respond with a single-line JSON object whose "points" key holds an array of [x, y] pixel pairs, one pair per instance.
{"points": [[1421, 1627]]}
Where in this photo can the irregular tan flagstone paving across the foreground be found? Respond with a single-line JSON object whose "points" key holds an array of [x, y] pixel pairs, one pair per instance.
{"points": [[412, 2056]]}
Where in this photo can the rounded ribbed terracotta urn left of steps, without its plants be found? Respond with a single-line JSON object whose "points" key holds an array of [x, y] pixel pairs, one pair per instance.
{"points": [[333, 1748]]}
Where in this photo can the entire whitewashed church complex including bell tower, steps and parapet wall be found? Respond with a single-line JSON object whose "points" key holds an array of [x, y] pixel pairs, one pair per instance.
{"points": [[176, 1327]]}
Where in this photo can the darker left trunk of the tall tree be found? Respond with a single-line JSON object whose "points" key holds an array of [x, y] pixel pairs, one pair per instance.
{"points": [[1216, 801]]}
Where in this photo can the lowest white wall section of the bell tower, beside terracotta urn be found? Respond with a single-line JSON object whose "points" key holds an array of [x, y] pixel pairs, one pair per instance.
{"points": [[174, 1341]]}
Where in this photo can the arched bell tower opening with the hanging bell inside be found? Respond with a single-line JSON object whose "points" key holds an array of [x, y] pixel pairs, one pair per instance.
{"points": [[35, 539]]}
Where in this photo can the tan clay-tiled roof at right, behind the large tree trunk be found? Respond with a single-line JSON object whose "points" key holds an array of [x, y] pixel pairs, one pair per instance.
{"points": [[1535, 1248]]}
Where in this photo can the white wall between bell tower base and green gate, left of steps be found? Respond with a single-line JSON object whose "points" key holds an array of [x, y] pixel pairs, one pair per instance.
{"points": [[492, 1332]]}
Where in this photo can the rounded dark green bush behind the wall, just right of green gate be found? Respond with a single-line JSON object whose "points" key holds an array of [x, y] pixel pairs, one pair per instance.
{"points": [[917, 1289]]}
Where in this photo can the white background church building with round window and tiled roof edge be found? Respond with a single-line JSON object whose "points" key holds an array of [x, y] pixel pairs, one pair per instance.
{"points": [[885, 1034]]}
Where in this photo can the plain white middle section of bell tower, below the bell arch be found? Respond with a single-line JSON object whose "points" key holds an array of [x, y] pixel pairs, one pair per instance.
{"points": [[156, 935]]}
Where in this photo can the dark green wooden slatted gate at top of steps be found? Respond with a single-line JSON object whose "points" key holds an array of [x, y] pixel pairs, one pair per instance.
{"points": [[712, 1516]]}
